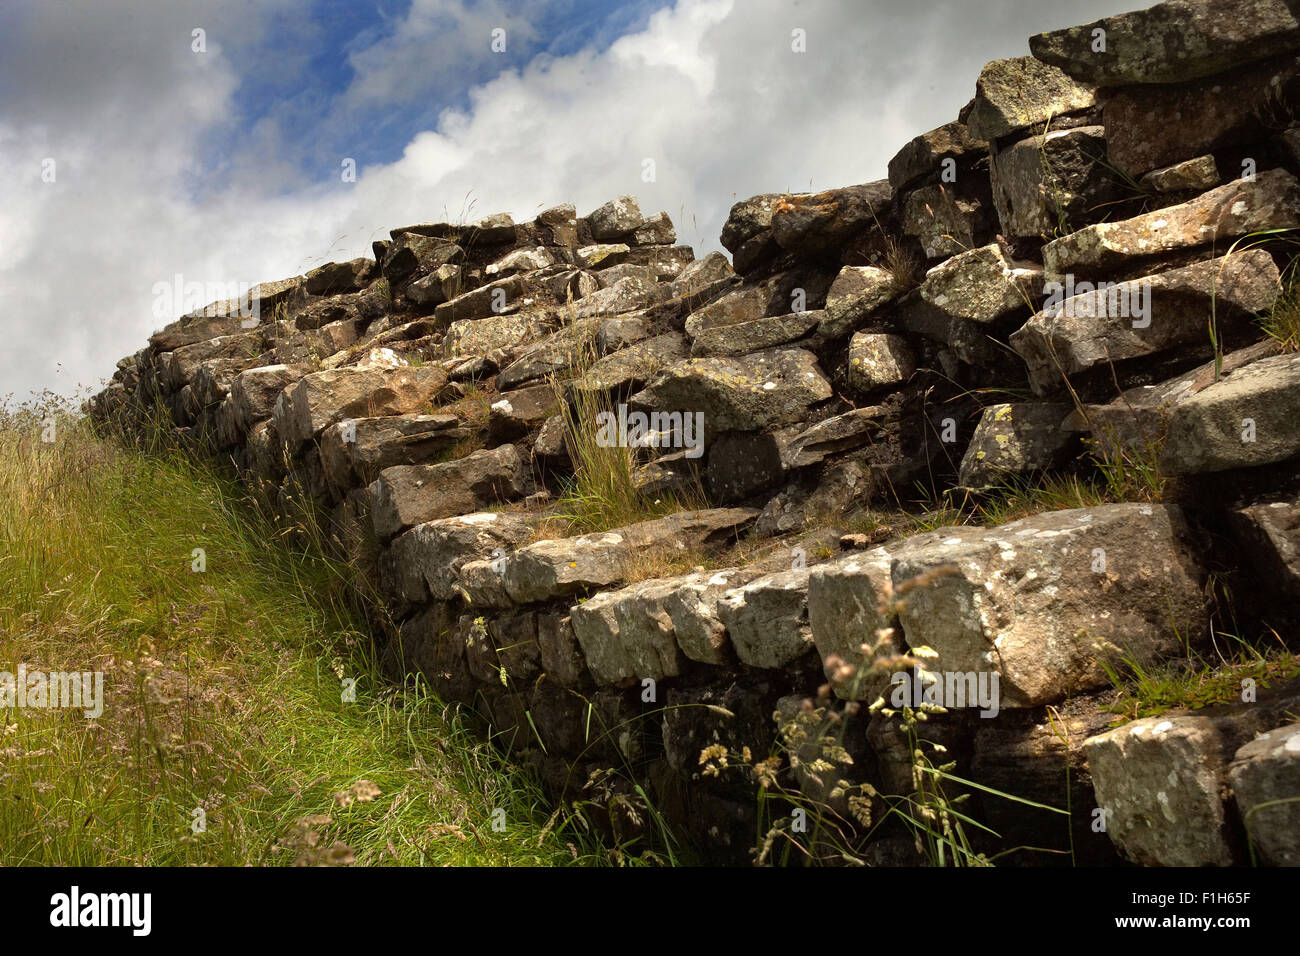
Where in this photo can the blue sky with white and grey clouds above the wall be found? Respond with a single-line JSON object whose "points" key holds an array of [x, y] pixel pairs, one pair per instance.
{"points": [[145, 140]]}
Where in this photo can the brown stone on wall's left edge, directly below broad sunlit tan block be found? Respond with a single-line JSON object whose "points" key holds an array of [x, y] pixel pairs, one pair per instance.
{"points": [[354, 452]]}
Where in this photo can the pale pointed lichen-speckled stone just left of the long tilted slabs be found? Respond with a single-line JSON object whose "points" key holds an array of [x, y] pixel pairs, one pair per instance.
{"points": [[983, 284]]}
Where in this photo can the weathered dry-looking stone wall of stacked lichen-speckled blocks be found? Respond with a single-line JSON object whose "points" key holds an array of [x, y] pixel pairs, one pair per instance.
{"points": [[1028, 295]]}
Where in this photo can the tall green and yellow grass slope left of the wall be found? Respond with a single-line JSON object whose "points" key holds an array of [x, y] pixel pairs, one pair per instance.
{"points": [[226, 700]]}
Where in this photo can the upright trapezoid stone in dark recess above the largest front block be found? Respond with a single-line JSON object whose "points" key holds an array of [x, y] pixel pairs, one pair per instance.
{"points": [[1013, 440]]}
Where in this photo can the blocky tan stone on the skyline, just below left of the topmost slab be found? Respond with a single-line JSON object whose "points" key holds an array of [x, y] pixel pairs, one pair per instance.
{"points": [[1016, 94]]}
